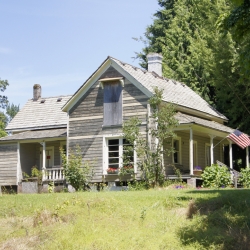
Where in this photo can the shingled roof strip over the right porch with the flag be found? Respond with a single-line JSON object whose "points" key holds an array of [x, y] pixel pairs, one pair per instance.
{"points": [[187, 119]]}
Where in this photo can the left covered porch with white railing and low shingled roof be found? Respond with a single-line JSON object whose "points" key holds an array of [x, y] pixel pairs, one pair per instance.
{"points": [[40, 149]]}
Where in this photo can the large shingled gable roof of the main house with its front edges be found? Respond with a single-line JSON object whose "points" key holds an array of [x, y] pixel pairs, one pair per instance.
{"points": [[173, 91]]}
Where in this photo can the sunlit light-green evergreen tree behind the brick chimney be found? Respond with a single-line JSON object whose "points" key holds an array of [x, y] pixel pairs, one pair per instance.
{"points": [[184, 31]]}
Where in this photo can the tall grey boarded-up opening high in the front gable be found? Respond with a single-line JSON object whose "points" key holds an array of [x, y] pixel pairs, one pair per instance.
{"points": [[112, 106]]}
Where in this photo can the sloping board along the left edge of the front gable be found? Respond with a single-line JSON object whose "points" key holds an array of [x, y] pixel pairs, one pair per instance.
{"points": [[88, 84]]}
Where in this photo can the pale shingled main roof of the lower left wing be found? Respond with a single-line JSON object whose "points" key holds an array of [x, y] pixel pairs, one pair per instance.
{"points": [[40, 115]]}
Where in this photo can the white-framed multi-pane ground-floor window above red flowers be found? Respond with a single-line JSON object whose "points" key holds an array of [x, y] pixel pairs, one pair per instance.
{"points": [[119, 153]]}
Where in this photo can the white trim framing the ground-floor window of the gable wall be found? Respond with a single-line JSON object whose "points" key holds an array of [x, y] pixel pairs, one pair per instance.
{"points": [[105, 152]]}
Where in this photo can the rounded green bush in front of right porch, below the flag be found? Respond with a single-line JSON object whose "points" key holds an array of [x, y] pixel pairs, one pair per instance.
{"points": [[216, 176]]}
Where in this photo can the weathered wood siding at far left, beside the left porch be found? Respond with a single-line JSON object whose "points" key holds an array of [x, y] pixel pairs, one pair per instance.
{"points": [[8, 164]]}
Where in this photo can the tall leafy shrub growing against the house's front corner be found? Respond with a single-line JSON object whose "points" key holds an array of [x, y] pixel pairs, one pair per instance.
{"points": [[161, 126]]}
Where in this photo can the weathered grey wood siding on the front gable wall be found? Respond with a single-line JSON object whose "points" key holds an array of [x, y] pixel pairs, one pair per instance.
{"points": [[86, 120]]}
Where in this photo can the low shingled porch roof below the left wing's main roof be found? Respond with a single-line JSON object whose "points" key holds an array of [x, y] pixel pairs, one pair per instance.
{"points": [[36, 134]]}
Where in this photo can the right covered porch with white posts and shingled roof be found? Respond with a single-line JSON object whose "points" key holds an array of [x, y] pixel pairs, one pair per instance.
{"points": [[198, 143]]}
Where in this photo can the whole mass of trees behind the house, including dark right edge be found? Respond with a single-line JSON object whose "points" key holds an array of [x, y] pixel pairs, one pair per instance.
{"points": [[201, 51]]}
